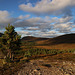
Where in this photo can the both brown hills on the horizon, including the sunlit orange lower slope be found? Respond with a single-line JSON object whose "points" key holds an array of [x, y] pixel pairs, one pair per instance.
{"points": [[66, 41]]}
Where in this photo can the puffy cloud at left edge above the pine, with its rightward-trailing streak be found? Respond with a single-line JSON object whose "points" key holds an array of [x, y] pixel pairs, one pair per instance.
{"points": [[5, 18]]}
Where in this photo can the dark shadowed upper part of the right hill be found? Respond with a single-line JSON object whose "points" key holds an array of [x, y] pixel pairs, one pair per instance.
{"points": [[64, 39]]}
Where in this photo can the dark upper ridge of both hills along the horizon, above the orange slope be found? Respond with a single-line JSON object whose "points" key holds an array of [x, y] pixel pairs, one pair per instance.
{"points": [[67, 38]]}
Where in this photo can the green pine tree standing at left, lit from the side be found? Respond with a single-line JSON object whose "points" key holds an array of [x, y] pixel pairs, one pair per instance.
{"points": [[10, 41]]}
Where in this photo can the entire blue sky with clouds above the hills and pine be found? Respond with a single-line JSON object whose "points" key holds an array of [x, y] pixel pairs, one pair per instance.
{"points": [[39, 18]]}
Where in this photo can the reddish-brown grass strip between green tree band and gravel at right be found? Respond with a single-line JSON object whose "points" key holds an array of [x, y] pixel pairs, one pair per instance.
{"points": [[65, 56]]}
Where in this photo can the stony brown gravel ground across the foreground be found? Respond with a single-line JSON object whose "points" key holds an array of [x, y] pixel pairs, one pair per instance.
{"points": [[46, 67]]}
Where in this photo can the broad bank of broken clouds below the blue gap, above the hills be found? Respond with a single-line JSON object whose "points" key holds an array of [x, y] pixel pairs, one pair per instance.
{"points": [[38, 26]]}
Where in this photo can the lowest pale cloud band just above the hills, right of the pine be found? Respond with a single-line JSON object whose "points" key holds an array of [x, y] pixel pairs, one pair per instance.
{"points": [[49, 34]]}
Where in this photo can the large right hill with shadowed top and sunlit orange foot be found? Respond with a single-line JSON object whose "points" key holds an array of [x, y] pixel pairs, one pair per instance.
{"points": [[61, 42]]}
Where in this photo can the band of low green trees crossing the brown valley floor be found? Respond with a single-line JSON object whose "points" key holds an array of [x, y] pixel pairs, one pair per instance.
{"points": [[33, 52]]}
